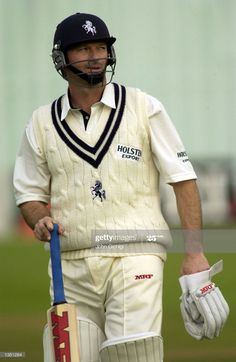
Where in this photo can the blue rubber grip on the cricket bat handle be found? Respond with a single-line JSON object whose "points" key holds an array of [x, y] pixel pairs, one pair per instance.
{"points": [[58, 287]]}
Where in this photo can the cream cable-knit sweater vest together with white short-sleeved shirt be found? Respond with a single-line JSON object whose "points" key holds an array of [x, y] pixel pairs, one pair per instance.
{"points": [[103, 180]]}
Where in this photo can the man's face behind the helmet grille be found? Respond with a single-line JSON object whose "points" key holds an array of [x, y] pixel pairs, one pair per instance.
{"points": [[89, 58]]}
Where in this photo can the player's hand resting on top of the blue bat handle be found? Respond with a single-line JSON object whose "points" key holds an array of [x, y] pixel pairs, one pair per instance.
{"points": [[44, 227]]}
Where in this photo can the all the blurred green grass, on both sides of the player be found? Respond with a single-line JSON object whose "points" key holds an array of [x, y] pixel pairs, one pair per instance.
{"points": [[24, 300]]}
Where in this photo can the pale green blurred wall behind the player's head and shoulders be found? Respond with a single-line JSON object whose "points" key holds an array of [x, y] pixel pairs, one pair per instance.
{"points": [[180, 51]]}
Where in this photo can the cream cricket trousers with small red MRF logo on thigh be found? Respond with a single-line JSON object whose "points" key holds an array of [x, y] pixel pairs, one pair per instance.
{"points": [[122, 295]]}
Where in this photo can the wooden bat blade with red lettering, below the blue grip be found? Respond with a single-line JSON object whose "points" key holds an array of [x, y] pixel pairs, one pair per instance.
{"points": [[63, 329]]}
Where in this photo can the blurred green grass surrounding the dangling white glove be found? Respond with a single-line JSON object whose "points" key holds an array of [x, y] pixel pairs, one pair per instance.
{"points": [[179, 346]]}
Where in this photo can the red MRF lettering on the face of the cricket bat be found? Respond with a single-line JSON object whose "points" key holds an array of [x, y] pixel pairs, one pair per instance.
{"points": [[61, 337]]}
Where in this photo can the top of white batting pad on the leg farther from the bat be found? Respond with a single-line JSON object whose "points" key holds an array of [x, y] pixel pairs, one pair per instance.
{"points": [[145, 347]]}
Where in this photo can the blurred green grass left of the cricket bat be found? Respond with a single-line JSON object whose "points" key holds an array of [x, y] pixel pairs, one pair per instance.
{"points": [[24, 297]]}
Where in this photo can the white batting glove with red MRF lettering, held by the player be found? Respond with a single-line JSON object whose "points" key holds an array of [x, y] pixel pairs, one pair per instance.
{"points": [[203, 307]]}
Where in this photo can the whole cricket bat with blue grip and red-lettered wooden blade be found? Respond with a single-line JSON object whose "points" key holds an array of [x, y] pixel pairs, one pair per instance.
{"points": [[61, 316]]}
